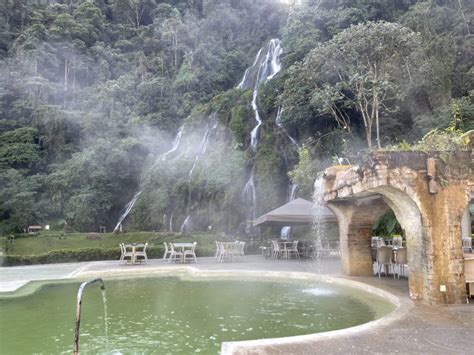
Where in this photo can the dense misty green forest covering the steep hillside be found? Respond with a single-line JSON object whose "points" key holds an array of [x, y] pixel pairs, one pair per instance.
{"points": [[102, 101]]}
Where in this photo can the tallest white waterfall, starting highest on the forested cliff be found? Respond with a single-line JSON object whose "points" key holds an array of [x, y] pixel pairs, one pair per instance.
{"points": [[265, 66]]}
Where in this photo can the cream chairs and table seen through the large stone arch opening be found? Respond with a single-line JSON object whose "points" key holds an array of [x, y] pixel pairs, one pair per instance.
{"points": [[389, 256]]}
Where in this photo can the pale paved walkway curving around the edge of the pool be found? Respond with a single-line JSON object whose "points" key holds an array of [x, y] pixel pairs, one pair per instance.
{"points": [[421, 329]]}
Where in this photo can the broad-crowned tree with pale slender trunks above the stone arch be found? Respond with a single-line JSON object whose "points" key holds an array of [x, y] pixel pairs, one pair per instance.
{"points": [[366, 68]]}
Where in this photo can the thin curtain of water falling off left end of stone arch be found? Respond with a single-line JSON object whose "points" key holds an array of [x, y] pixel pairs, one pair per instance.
{"points": [[318, 212]]}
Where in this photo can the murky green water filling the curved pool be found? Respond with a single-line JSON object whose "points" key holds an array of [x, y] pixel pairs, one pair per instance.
{"points": [[168, 315]]}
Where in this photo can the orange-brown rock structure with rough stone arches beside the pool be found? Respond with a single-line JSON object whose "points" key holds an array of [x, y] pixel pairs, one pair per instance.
{"points": [[429, 193]]}
